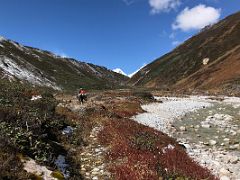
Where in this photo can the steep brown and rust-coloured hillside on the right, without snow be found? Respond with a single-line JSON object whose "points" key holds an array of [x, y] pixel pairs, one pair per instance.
{"points": [[208, 60]]}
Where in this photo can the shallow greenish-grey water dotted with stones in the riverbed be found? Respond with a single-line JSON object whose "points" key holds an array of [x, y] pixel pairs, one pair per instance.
{"points": [[201, 134]]}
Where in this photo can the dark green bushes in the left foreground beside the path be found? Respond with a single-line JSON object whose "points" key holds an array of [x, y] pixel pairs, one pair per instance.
{"points": [[30, 127]]}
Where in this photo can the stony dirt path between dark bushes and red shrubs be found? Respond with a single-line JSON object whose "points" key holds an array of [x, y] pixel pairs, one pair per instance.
{"points": [[93, 164]]}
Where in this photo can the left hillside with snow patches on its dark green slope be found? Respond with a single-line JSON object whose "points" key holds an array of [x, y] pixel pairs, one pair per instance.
{"points": [[39, 67]]}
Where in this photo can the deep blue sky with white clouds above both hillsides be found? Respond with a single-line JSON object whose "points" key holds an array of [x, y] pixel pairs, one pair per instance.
{"points": [[114, 33]]}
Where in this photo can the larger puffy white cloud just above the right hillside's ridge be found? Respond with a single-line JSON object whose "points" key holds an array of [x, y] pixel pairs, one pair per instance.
{"points": [[196, 18]]}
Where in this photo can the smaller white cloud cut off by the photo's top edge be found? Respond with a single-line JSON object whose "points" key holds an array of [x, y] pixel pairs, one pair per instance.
{"points": [[163, 5]]}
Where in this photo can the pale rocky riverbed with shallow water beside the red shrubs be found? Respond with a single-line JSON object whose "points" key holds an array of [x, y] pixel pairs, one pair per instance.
{"points": [[208, 127]]}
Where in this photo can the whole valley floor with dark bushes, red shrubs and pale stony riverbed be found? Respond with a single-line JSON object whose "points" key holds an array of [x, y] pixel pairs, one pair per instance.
{"points": [[61, 138]]}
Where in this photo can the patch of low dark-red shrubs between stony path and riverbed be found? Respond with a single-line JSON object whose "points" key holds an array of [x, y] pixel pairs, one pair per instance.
{"points": [[136, 153]]}
